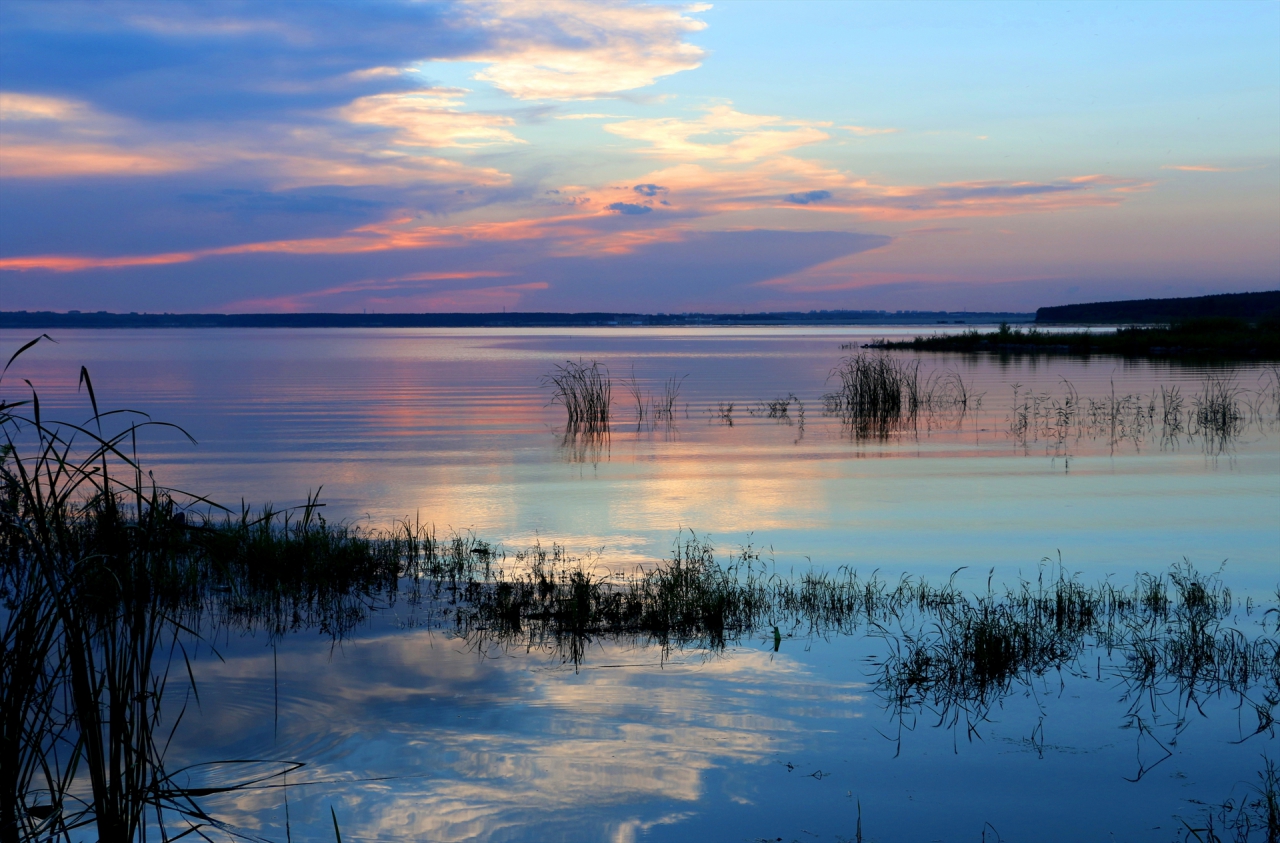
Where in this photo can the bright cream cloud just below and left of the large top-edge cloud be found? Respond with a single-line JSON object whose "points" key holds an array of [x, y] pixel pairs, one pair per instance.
{"points": [[431, 118]]}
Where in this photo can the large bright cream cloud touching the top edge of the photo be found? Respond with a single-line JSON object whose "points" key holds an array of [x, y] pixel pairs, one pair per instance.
{"points": [[582, 49]]}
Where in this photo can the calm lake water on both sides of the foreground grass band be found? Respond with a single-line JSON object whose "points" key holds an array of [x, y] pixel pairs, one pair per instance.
{"points": [[417, 735]]}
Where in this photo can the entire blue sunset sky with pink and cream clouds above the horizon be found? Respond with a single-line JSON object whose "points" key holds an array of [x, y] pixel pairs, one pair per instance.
{"points": [[490, 155]]}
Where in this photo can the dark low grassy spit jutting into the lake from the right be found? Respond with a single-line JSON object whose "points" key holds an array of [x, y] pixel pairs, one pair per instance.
{"points": [[1217, 338]]}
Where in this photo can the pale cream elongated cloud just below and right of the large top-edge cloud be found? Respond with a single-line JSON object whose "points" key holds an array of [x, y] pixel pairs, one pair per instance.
{"points": [[723, 135]]}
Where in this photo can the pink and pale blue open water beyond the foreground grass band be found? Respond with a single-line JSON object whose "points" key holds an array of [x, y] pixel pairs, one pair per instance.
{"points": [[454, 428]]}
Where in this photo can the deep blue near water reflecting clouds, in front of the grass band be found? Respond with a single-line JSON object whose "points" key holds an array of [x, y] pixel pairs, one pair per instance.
{"points": [[746, 745]]}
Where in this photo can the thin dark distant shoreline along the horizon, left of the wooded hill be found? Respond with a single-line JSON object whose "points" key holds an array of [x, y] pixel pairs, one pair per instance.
{"points": [[45, 320]]}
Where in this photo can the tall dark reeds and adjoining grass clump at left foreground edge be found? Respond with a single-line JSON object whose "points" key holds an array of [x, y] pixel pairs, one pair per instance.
{"points": [[103, 584]]}
